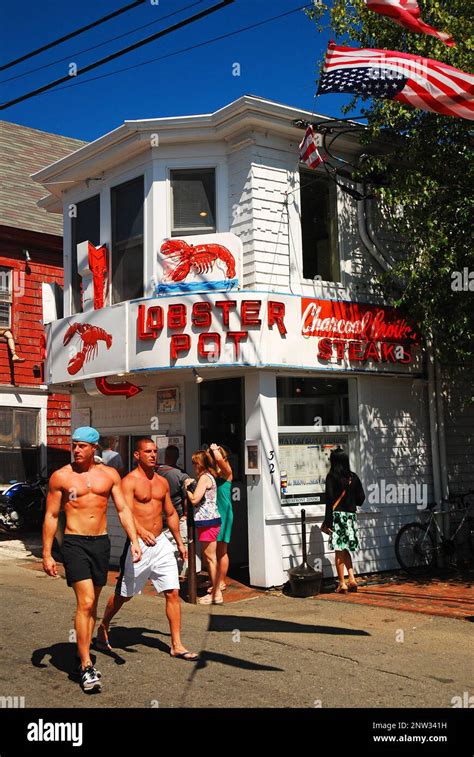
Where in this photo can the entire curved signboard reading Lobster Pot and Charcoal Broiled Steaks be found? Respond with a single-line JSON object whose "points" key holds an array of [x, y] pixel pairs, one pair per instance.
{"points": [[241, 328]]}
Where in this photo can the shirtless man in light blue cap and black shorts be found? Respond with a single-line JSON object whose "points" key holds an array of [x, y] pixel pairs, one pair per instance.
{"points": [[83, 488]]}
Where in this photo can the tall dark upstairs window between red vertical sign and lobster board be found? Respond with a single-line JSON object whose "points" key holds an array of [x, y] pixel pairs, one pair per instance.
{"points": [[127, 240]]}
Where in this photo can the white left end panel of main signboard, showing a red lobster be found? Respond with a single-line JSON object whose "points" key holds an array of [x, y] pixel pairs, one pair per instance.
{"points": [[88, 345]]}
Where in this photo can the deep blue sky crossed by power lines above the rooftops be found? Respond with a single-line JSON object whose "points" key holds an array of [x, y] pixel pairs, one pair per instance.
{"points": [[278, 61]]}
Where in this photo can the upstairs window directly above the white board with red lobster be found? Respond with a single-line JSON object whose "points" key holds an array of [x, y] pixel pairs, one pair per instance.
{"points": [[193, 199]]}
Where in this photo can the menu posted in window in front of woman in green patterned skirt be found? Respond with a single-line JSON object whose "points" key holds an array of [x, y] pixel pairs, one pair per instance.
{"points": [[304, 465]]}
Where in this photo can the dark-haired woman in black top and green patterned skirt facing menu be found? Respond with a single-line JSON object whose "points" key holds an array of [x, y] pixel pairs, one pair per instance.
{"points": [[344, 494]]}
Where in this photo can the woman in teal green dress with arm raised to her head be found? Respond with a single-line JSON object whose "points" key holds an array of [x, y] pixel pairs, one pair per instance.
{"points": [[224, 505]]}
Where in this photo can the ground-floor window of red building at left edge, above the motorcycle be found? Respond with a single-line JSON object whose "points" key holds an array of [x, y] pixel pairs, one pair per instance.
{"points": [[19, 447]]}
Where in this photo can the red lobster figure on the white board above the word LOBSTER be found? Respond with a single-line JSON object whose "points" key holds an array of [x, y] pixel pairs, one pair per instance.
{"points": [[201, 258]]}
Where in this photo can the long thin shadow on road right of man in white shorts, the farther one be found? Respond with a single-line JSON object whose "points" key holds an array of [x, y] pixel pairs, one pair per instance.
{"points": [[268, 625]]}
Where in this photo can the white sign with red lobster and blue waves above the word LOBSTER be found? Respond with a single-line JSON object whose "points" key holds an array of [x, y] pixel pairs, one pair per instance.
{"points": [[199, 263]]}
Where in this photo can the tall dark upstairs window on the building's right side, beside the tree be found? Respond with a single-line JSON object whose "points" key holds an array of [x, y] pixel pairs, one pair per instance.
{"points": [[319, 227]]}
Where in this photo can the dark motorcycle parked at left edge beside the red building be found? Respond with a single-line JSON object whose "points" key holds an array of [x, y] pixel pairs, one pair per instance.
{"points": [[23, 504]]}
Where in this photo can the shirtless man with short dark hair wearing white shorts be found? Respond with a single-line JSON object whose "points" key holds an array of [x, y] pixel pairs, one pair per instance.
{"points": [[148, 495]]}
